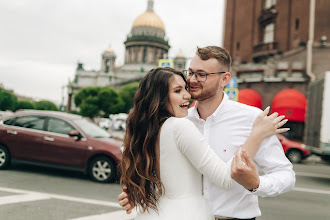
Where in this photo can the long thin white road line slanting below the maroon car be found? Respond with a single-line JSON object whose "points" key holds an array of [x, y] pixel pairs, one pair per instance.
{"points": [[63, 197]]}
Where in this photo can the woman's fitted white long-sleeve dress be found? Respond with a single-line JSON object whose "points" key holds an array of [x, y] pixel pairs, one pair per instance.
{"points": [[184, 158]]}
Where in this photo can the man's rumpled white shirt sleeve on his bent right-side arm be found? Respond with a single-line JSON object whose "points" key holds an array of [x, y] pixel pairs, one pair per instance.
{"points": [[279, 176]]}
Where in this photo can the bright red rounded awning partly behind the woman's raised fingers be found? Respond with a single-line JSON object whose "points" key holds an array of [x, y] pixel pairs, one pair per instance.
{"points": [[291, 103]]}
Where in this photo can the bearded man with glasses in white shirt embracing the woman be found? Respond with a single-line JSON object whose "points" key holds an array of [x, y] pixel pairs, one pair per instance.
{"points": [[226, 125]]}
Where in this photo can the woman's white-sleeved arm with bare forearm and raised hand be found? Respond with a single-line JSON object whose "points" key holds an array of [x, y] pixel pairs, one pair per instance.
{"points": [[194, 146]]}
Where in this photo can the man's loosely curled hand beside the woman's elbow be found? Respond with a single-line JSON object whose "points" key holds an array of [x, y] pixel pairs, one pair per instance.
{"points": [[243, 170]]}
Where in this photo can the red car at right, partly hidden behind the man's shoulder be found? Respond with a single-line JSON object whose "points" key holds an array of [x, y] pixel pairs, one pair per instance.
{"points": [[295, 151]]}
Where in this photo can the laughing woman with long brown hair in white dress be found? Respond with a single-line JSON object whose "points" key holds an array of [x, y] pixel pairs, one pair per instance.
{"points": [[165, 155]]}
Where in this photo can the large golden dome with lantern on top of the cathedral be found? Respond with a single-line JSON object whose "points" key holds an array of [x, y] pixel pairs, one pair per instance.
{"points": [[149, 18]]}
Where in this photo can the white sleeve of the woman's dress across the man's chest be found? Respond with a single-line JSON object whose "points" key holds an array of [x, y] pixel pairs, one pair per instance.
{"points": [[193, 145]]}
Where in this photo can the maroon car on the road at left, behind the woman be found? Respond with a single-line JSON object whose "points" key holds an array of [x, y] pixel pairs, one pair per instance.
{"points": [[60, 140]]}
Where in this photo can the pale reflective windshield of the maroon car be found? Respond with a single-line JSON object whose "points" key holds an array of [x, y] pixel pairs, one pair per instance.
{"points": [[91, 129]]}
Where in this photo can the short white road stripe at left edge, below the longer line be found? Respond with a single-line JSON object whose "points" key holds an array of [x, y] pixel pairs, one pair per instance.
{"points": [[4, 200]]}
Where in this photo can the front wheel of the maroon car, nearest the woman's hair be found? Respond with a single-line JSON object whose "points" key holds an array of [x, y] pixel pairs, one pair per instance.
{"points": [[102, 169]]}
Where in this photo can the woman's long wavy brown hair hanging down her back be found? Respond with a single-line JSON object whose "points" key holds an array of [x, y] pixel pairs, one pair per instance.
{"points": [[140, 163]]}
